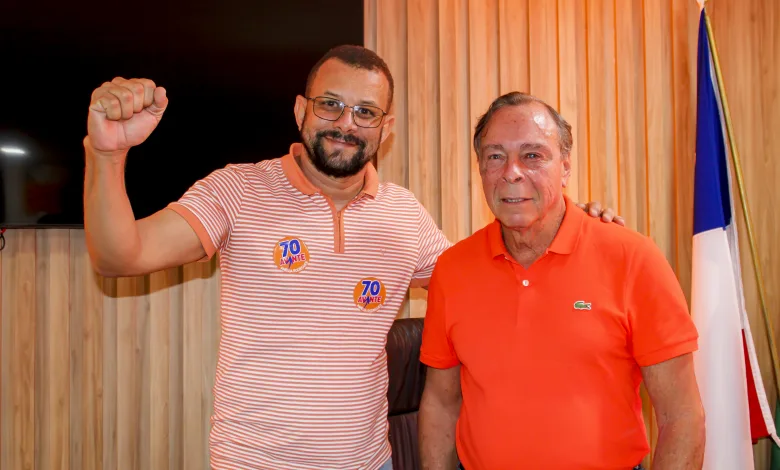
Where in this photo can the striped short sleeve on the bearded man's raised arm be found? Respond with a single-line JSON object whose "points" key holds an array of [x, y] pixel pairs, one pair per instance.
{"points": [[211, 206]]}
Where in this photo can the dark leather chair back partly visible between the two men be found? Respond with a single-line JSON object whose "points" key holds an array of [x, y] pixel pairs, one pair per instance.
{"points": [[407, 378]]}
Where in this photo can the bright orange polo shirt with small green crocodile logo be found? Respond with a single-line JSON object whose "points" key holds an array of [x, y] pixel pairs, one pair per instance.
{"points": [[550, 356]]}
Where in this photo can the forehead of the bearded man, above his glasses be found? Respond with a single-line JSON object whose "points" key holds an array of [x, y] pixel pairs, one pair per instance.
{"points": [[350, 84]]}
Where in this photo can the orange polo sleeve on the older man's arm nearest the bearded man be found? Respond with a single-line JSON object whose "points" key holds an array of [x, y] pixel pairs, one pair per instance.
{"points": [[437, 350]]}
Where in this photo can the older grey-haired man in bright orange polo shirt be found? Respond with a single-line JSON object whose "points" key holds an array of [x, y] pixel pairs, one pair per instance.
{"points": [[542, 325]]}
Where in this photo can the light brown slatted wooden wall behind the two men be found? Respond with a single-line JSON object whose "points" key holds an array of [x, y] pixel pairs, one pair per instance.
{"points": [[118, 374]]}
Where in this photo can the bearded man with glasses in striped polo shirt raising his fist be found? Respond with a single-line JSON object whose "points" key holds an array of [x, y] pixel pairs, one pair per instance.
{"points": [[316, 256]]}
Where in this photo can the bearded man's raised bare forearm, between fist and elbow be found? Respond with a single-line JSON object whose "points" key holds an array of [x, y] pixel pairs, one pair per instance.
{"points": [[110, 227]]}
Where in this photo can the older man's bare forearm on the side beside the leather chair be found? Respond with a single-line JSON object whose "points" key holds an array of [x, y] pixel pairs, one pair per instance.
{"points": [[437, 435]]}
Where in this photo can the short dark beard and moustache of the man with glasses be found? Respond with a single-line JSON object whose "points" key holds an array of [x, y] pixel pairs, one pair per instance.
{"points": [[332, 164]]}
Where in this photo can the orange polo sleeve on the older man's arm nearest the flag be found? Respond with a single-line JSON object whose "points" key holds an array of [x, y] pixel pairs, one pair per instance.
{"points": [[658, 315]]}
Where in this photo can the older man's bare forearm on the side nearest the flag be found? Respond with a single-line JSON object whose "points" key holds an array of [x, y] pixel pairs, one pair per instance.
{"points": [[680, 444]]}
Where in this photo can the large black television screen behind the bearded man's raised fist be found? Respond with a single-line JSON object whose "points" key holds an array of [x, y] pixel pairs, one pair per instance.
{"points": [[232, 70]]}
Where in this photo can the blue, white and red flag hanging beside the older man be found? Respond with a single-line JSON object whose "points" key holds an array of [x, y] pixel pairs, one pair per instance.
{"points": [[732, 391]]}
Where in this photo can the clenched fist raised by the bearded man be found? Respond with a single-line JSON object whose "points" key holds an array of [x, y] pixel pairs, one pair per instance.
{"points": [[123, 113]]}
